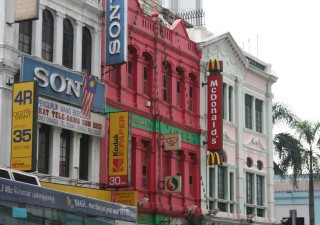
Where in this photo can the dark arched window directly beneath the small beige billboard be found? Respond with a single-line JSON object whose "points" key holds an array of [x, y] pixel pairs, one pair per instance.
{"points": [[25, 36]]}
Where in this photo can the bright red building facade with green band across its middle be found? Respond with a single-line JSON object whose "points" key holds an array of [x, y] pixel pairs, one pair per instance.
{"points": [[159, 85]]}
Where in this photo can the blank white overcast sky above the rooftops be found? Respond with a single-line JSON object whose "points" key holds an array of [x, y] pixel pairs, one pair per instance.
{"points": [[283, 33]]}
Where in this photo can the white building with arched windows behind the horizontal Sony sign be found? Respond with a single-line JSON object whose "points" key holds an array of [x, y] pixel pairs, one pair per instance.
{"points": [[65, 37]]}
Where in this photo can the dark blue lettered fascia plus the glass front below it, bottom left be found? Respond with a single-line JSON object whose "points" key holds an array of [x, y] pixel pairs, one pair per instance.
{"points": [[22, 203]]}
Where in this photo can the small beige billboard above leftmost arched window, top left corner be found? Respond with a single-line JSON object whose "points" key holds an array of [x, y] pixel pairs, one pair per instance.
{"points": [[26, 10]]}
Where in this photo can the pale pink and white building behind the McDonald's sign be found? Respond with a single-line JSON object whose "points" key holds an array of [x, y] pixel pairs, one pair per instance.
{"points": [[243, 186]]}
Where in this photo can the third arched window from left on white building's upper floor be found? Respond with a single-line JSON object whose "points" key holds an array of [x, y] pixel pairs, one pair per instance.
{"points": [[67, 44]]}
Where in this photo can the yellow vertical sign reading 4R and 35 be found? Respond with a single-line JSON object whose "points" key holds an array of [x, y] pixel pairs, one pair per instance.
{"points": [[24, 126]]}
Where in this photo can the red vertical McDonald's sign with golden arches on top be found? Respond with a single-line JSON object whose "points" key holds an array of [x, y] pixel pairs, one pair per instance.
{"points": [[215, 106]]}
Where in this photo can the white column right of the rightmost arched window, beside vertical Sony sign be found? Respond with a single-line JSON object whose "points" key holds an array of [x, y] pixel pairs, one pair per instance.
{"points": [[96, 53]]}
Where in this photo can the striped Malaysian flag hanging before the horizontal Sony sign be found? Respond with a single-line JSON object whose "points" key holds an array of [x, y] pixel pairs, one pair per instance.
{"points": [[88, 92]]}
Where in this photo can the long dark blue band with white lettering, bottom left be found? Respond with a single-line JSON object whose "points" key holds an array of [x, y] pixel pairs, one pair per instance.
{"points": [[44, 197]]}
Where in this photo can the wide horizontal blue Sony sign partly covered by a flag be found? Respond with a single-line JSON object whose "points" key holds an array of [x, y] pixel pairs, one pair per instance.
{"points": [[58, 83]]}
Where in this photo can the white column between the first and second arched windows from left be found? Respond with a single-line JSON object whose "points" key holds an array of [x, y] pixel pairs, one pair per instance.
{"points": [[37, 35]]}
